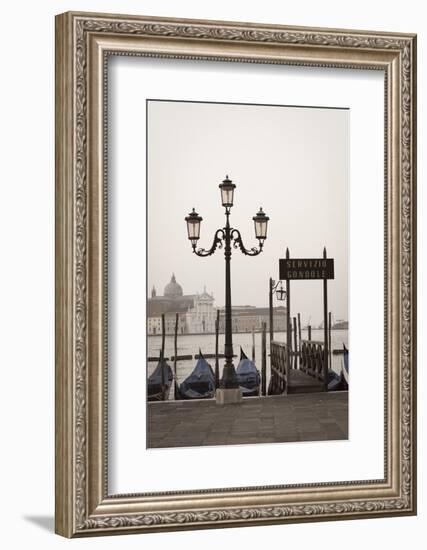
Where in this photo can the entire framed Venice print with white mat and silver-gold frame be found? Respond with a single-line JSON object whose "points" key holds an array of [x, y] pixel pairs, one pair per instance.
{"points": [[235, 221]]}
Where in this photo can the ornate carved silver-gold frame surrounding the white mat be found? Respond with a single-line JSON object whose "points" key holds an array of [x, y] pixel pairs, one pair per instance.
{"points": [[83, 506]]}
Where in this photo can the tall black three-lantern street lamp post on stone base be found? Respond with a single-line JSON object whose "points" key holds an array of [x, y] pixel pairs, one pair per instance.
{"points": [[226, 237]]}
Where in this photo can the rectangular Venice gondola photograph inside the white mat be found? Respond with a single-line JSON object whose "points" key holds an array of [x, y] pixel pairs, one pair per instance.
{"points": [[247, 316]]}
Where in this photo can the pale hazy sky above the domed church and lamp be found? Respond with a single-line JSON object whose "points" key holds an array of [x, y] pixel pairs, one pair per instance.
{"points": [[291, 161]]}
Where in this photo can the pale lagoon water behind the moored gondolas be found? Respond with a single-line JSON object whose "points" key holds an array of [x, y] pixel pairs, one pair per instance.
{"points": [[189, 344]]}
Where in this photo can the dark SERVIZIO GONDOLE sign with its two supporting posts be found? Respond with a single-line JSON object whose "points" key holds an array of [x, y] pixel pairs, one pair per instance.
{"points": [[303, 269]]}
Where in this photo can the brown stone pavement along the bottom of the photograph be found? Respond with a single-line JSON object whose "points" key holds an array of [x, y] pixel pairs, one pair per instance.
{"points": [[300, 417]]}
